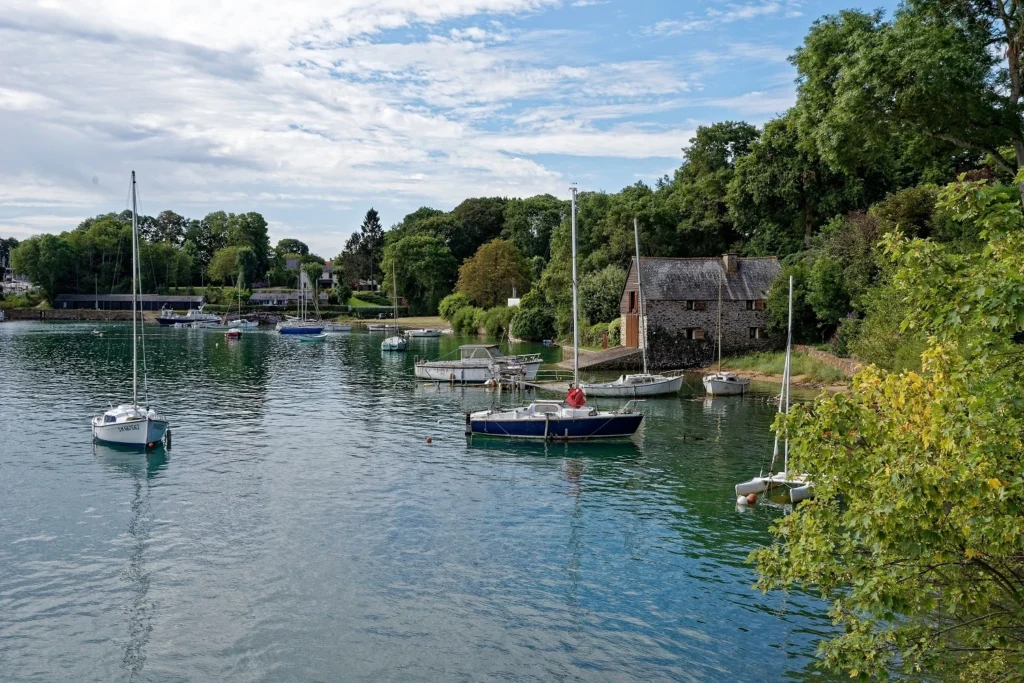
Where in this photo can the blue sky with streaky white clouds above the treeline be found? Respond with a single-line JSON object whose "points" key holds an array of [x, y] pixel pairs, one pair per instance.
{"points": [[312, 112]]}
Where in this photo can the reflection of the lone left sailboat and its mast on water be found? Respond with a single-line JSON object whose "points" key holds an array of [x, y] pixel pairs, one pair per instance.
{"points": [[141, 468]]}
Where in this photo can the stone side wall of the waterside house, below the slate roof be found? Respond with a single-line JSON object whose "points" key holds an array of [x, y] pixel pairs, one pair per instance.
{"points": [[668, 322]]}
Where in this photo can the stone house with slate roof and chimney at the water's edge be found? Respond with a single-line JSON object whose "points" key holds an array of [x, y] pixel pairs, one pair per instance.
{"points": [[681, 308]]}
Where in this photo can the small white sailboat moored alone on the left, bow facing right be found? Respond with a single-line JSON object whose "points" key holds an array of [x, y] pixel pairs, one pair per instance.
{"points": [[131, 424]]}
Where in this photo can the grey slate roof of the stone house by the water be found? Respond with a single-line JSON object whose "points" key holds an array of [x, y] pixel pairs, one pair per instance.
{"points": [[698, 279]]}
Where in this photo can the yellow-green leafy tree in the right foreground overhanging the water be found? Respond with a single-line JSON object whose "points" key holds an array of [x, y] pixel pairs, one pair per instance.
{"points": [[916, 534]]}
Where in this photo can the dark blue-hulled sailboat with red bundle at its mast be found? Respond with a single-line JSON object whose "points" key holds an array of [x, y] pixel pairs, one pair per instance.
{"points": [[571, 420]]}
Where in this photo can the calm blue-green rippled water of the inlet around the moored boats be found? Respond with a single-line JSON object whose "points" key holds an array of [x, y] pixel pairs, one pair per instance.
{"points": [[302, 529]]}
